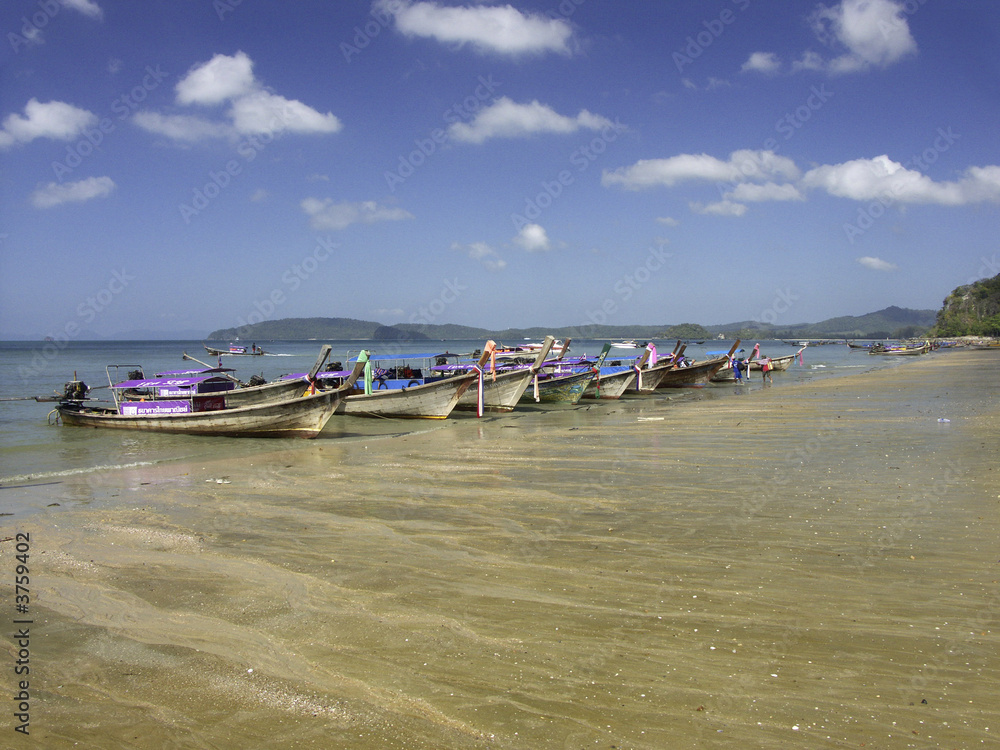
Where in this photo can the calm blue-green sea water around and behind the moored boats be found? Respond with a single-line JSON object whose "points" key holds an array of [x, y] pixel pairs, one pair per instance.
{"points": [[33, 451]]}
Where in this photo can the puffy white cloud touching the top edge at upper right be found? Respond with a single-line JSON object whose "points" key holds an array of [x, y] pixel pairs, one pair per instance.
{"points": [[874, 32]]}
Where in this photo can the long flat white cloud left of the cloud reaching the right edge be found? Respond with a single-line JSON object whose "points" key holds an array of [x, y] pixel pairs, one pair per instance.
{"points": [[742, 165]]}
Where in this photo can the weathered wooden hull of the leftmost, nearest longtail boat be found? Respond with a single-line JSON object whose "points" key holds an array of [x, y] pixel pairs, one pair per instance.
{"points": [[302, 417]]}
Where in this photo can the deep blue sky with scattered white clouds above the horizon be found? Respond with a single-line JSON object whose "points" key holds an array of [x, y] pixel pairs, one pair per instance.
{"points": [[186, 165]]}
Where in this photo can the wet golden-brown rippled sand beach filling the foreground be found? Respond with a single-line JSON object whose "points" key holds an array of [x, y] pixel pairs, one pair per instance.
{"points": [[811, 565]]}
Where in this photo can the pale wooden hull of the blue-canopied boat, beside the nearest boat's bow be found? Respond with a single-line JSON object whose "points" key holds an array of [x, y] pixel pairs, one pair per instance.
{"points": [[435, 400]]}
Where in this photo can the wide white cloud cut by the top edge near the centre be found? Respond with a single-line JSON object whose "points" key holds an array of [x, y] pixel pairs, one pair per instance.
{"points": [[501, 30]]}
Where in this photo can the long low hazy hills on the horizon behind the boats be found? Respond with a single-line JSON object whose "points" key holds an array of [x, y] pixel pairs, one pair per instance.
{"points": [[892, 322]]}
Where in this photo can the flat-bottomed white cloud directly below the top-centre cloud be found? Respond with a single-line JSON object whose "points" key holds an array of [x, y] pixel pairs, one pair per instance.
{"points": [[508, 119]]}
